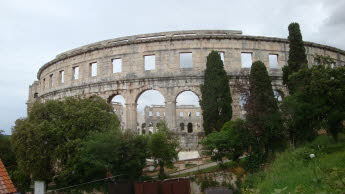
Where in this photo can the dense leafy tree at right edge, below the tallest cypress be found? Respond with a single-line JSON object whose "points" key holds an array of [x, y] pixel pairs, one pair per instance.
{"points": [[318, 101]]}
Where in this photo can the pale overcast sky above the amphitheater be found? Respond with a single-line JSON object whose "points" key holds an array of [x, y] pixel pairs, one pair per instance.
{"points": [[34, 32]]}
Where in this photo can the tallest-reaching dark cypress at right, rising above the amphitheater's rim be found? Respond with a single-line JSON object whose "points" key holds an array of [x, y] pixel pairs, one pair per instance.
{"points": [[297, 55]]}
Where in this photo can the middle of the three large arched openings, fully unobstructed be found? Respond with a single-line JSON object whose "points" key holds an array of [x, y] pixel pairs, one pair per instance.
{"points": [[150, 109]]}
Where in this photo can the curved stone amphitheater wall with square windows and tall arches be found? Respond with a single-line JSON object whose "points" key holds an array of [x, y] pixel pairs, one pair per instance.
{"points": [[169, 62]]}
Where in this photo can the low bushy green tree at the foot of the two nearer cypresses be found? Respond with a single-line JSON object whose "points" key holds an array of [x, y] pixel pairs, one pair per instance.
{"points": [[230, 142]]}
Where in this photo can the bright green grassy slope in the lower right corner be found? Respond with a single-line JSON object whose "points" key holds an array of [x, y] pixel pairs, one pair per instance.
{"points": [[294, 171]]}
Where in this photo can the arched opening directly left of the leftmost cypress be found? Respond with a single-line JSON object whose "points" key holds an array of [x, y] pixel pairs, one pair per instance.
{"points": [[188, 110]]}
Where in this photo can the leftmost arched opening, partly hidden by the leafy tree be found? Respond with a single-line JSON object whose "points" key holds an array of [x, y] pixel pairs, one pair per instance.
{"points": [[118, 103]]}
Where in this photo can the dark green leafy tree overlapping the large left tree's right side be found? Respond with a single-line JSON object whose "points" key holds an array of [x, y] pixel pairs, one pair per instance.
{"points": [[111, 152]]}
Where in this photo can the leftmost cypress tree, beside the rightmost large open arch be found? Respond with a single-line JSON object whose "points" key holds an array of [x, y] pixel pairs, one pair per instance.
{"points": [[216, 98]]}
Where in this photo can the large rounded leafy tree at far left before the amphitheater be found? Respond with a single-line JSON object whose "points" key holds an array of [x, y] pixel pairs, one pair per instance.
{"points": [[47, 140]]}
